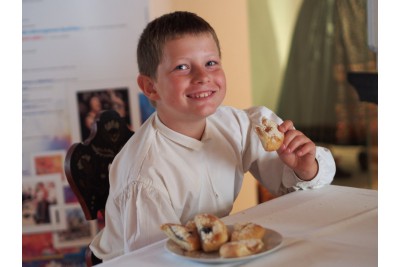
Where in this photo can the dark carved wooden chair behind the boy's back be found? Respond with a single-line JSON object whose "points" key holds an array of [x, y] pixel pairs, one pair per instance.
{"points": [[87, 165]]}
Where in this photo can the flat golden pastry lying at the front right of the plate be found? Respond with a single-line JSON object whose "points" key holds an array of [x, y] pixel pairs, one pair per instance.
{"points": [[241, 248]]}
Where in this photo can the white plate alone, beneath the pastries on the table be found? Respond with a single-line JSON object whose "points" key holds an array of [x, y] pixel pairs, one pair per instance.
{"points": [[272, 240]]}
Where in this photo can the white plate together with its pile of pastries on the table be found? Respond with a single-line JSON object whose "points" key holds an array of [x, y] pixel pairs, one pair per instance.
{"points": [[208, 239]]}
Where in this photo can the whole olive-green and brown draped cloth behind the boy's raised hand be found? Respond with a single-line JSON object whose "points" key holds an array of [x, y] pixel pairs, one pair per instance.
{"points": [[329, 40]]}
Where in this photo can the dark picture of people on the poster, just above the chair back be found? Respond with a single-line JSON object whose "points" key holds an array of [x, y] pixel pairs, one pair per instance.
{"points": [[90, 103]]}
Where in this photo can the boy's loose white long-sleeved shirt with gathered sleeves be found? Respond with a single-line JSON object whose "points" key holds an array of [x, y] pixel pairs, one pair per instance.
{"points": [[162, 176]]}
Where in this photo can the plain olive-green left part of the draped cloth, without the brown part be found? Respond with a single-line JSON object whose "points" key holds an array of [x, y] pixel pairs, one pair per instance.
{"points": [[308, 90]]}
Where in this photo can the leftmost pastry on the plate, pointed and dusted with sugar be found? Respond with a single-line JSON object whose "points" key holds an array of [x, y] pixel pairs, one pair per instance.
{"points": [[185, 237]]}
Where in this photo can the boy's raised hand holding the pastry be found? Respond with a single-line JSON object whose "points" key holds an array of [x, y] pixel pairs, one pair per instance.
{"points": [[298, 152]]}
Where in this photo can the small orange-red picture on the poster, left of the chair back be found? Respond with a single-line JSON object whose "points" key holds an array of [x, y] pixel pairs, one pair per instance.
{"points": [[49, 162]]}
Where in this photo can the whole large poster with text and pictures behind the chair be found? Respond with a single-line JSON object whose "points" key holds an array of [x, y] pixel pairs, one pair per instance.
{"points": [[73, 66]]}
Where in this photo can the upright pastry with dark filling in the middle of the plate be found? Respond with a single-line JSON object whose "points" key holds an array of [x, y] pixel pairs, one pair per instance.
{"points": [[213, 232]]}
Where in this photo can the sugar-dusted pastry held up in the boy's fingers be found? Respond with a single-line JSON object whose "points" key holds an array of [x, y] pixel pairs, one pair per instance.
{"points": [[270, 137]]}
